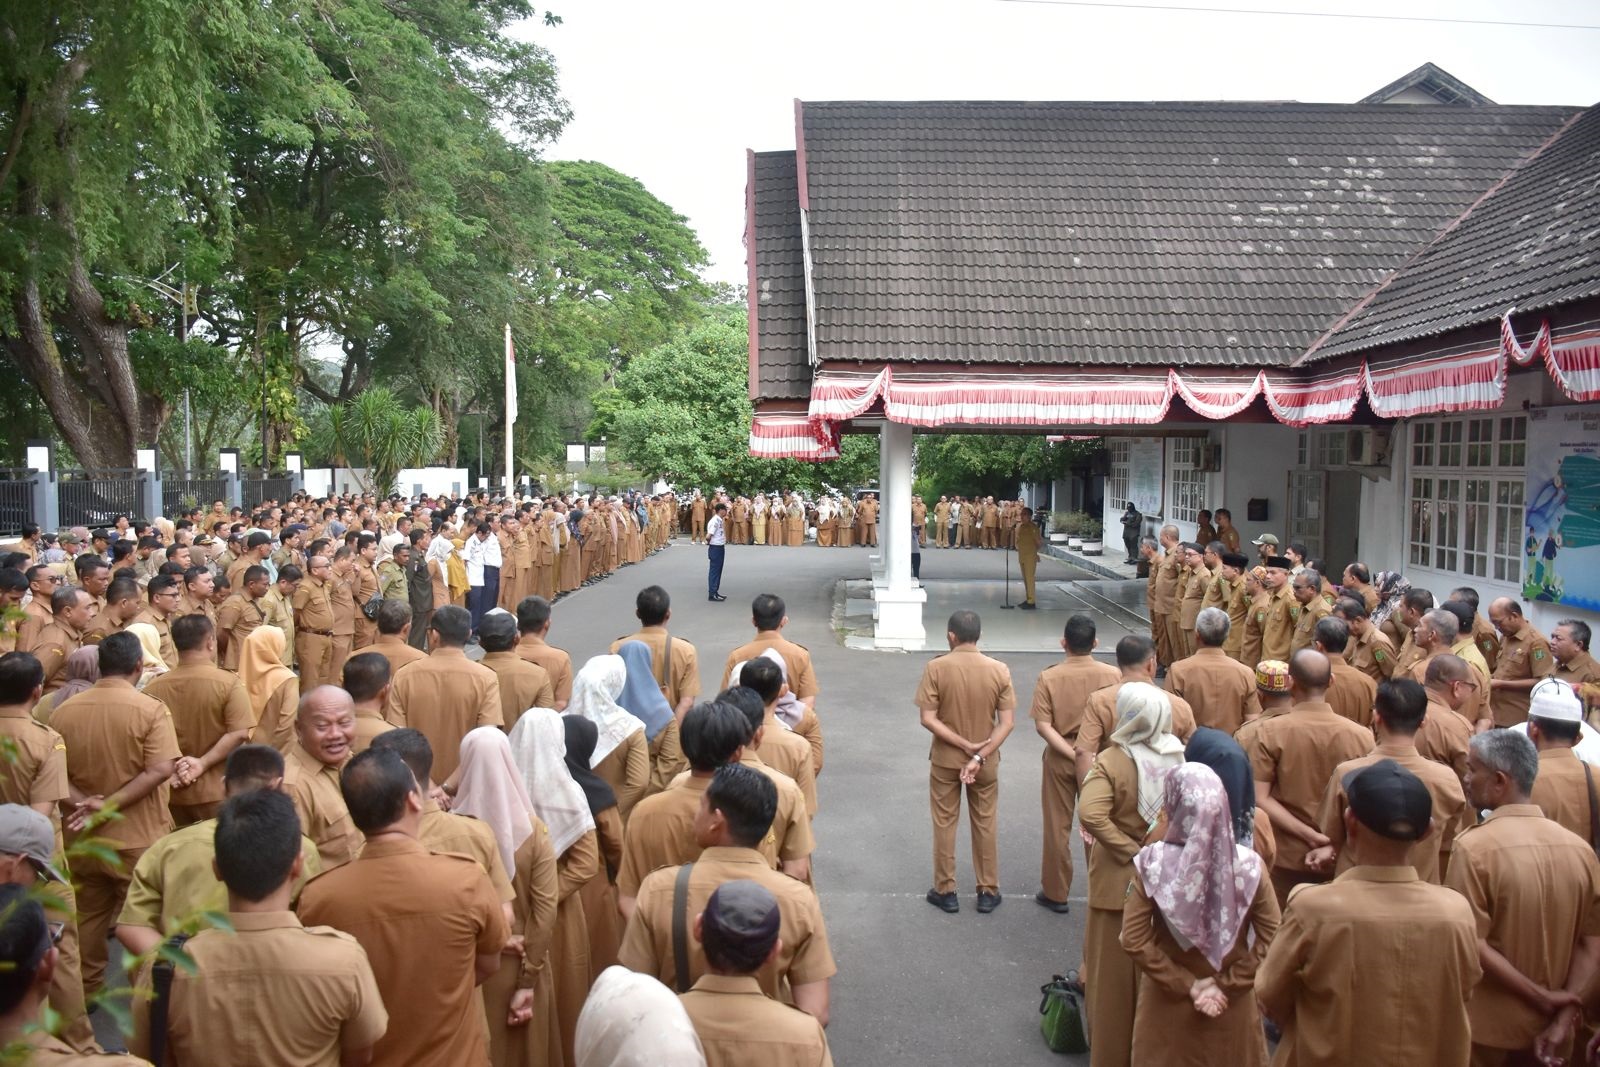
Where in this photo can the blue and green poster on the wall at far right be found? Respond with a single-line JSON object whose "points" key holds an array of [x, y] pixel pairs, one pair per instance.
{"points": [[1562, 526]]}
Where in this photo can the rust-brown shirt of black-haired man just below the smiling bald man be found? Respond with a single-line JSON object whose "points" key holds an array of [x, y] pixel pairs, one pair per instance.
{"points": [[401, 900]]}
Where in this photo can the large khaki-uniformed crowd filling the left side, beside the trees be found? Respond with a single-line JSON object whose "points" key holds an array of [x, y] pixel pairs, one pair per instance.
{"points": [[250, 741]]}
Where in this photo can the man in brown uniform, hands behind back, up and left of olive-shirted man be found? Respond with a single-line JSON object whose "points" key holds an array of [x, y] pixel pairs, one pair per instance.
{"points": [[121, 753]]}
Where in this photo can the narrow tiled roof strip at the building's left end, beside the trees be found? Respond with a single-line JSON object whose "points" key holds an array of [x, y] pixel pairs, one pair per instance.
{"points": [[783, 370]]}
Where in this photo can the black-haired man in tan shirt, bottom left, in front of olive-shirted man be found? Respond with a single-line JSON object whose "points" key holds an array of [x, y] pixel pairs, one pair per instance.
{"points": [[271, 989]]}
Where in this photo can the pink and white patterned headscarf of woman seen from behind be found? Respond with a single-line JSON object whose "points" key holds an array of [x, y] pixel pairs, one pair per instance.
{"points": [[1199, 879]]}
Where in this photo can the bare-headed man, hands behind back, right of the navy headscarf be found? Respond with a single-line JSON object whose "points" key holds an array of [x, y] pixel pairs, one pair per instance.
{"points": [[1294, 759]]}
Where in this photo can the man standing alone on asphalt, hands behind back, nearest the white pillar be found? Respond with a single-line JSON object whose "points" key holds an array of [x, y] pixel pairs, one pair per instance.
{"points": [[967, 705]]}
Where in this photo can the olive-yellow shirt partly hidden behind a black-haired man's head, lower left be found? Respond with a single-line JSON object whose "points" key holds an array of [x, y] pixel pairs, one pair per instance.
{"points": [[174, 882]]}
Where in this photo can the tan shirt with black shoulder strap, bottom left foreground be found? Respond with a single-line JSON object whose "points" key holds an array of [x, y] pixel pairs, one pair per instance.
{"points": [[278, 993]]}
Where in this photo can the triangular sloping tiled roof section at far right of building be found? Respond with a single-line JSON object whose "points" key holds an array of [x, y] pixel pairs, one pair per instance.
{"points": [[1534, 242]]}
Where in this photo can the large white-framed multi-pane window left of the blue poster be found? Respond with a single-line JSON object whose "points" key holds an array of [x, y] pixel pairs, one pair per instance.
{"points": [[1466, 508]]}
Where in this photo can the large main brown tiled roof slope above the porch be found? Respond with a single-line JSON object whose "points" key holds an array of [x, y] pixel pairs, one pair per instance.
{"points": [[1124, 234]]}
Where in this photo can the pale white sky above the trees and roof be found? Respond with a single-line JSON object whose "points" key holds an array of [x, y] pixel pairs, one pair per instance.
{"points": [[674, 94]]}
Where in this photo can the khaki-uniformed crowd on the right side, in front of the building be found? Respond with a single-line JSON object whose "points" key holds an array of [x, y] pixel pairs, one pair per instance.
{"points": [[1342, 817]]}
